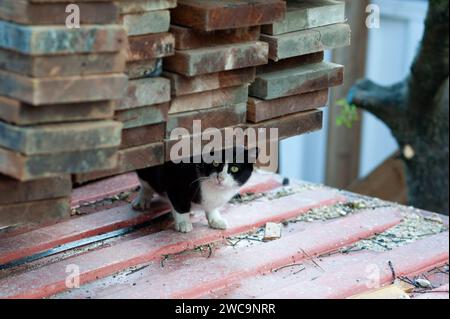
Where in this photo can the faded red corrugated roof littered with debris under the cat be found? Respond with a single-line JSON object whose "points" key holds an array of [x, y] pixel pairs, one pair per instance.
{"points": [[333, 245]]}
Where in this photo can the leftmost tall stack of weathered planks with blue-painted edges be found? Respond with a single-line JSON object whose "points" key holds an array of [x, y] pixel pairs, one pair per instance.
{"points": [[58, 87]]}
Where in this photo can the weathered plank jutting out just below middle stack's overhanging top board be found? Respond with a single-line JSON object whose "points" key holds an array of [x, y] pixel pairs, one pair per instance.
{"points": [[218, 58]]}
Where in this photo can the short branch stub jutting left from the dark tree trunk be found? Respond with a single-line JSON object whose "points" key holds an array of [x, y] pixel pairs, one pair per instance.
{"points": [[385, 102]]}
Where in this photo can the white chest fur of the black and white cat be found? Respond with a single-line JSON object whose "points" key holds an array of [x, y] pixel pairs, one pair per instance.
{"points": [[215, 197]]}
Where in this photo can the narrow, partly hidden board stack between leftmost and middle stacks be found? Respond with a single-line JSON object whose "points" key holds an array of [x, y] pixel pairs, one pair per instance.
{"points": [[143, 111]]}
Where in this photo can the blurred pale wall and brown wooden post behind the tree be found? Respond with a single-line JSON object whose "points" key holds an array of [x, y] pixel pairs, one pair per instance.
{"points": [[362, 158]]}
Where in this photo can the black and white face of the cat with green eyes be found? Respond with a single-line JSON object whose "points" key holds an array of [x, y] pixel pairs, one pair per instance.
{"points": [[229, 172]]}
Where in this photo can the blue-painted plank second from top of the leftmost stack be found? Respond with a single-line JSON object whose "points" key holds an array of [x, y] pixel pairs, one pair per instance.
{"points": [[48, 40]]}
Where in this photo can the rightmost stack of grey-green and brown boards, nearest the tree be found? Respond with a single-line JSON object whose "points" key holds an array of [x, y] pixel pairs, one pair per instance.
{"points": [[288, 91]]}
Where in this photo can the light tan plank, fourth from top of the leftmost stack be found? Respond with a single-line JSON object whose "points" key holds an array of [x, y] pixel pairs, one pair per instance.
{"points": [[58, 90]]}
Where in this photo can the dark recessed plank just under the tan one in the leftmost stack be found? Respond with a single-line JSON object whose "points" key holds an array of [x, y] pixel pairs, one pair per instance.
{"points": [[16, 112]]}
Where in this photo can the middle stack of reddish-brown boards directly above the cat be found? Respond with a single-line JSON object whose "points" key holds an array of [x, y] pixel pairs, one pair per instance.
{"points": [[217, 49]]}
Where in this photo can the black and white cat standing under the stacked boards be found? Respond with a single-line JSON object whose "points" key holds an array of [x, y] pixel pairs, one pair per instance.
{"points": [[190, 186]]}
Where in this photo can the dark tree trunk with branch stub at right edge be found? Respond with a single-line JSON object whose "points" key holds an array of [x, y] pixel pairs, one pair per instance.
{"points": [[416, 111]]}
